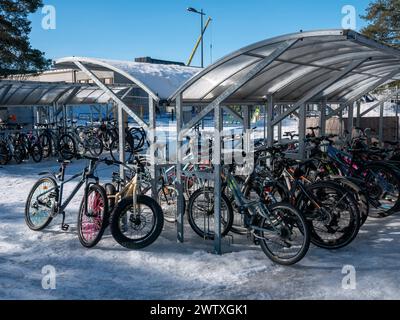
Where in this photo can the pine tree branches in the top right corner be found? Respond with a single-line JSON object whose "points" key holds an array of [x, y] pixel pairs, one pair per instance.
{"points": [[383, 17]]}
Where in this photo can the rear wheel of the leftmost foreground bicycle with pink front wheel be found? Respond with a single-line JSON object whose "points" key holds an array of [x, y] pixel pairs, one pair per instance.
{"points": [[40, 204]]}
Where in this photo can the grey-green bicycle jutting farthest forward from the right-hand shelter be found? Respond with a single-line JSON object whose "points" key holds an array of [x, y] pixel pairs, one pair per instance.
{"points": [[280, 230]]}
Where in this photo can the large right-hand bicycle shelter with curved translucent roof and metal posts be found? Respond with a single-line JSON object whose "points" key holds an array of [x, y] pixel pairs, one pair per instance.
{"points": [[284, 74]]}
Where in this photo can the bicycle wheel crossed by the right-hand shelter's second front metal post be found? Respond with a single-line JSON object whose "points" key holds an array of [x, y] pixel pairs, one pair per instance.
{"points": [[201, 214]]}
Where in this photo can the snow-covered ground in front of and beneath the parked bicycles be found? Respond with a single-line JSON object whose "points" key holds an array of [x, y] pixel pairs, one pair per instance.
{"points": [[168, 270]]}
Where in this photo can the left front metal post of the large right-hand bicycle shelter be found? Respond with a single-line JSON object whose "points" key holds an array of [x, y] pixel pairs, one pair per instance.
{"points": [[179, 144]]}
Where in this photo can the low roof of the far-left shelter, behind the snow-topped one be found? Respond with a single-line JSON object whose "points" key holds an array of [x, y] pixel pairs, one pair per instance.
{"points": [[33, 93]]}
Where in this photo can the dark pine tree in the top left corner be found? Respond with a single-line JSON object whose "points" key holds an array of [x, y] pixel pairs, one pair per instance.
{"points": [[16, 54]]}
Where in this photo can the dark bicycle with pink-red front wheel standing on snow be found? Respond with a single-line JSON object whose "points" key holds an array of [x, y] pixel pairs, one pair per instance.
{"points": [[45, 202]]}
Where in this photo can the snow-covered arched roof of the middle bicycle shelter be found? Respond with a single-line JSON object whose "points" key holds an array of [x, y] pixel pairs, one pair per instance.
{"points": [[158, 80]]}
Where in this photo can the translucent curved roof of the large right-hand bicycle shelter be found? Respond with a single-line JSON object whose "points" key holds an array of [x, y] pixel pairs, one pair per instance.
{"points": [[311, 60]]}
